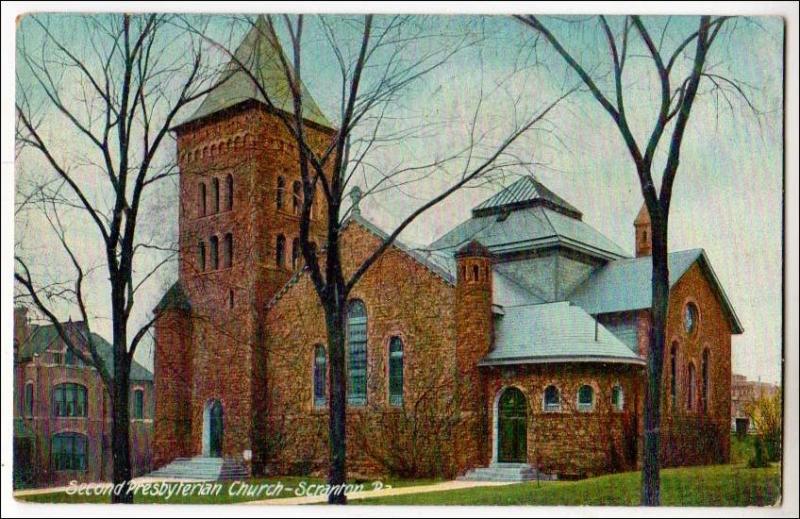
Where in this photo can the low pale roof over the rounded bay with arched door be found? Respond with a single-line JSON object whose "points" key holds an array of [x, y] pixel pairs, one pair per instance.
{"points": [[554, 332]]}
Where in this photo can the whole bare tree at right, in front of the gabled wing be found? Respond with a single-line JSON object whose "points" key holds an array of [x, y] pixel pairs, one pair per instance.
{"points": [[680, 71]]}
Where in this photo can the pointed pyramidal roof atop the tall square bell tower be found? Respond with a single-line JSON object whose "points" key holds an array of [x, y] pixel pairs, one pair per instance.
{"points": [[261, 52]]}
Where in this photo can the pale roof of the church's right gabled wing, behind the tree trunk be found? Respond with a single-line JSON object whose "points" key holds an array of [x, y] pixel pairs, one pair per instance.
{"points": [[624, 285]]}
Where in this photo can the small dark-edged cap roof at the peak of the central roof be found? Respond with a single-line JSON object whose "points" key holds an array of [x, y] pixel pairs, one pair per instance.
{"points": [[525, 192]]}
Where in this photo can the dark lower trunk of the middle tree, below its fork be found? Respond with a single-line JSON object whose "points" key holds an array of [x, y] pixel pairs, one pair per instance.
{"points": [[337, 475]]}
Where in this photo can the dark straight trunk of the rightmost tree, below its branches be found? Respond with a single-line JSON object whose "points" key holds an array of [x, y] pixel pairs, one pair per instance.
{"points": [[651, 479]]}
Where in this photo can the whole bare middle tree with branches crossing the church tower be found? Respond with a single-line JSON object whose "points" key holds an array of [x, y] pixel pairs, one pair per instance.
{"points": [[377, 60]]}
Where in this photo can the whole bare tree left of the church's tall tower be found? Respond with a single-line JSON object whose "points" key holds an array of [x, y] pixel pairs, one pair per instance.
{"points": [[113, 90]]}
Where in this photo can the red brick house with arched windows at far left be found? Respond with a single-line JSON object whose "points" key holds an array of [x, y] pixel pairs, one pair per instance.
{"points": [[62, 410]]}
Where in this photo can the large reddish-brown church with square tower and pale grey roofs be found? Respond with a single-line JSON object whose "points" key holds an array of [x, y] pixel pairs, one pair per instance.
{"points": [[518, 339]]}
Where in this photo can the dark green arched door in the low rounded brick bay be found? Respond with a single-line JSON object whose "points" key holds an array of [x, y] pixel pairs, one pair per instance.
{"points": [[512, 427]]}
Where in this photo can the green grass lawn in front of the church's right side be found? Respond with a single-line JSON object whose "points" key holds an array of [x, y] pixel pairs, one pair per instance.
{"points": [[717, 485]]}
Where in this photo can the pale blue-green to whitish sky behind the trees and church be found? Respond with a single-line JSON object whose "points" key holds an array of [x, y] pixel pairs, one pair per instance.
{"points": [[727, 197]]}
